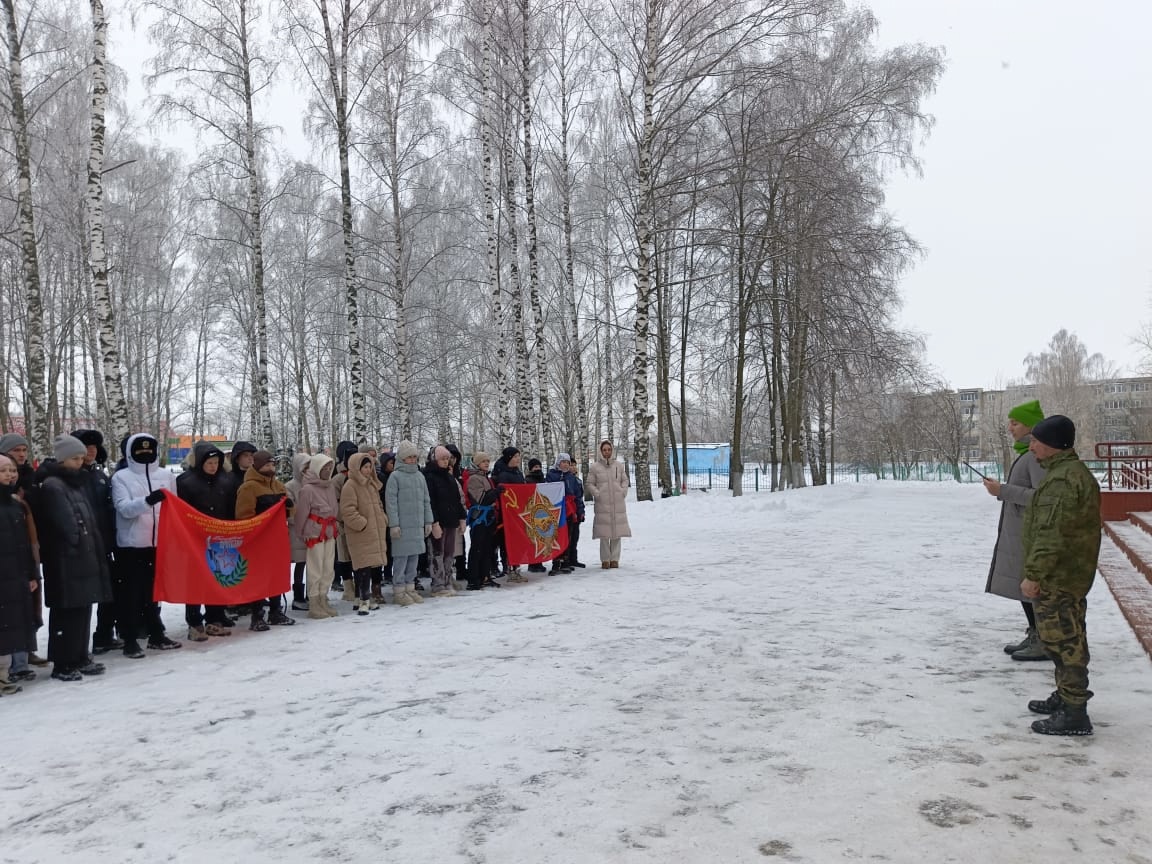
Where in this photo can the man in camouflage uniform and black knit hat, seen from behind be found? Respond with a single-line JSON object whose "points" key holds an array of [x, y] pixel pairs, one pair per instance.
{"points": [[1062, 545]]}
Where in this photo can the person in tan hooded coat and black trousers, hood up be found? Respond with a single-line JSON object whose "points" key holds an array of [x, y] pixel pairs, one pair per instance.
{"points": [[366, 528]]}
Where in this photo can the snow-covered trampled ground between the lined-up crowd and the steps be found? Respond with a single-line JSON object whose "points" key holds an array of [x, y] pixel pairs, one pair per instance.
{"points": [[806, 677]]}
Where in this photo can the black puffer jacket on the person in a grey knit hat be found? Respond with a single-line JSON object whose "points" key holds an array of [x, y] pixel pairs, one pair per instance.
{"points": [[72, 551]]}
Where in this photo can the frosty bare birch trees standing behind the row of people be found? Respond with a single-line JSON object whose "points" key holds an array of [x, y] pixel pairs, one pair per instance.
{"points": [[532, 222]]}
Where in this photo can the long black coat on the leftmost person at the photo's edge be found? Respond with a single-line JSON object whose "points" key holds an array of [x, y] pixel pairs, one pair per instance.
{"points": [[18, 610]]}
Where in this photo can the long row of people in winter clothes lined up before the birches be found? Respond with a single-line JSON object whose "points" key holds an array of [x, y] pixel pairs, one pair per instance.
{"points": [[75, 536]]}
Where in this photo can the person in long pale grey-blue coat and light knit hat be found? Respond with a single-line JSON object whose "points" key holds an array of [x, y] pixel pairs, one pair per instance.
{"points": [[410, 511]]}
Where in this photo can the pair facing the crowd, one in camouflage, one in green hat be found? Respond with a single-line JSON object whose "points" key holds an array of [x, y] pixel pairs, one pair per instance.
{"points": [[1045, 557]]}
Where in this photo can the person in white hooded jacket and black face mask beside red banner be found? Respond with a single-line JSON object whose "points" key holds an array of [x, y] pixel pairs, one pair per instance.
{"points": [[138, 494]]}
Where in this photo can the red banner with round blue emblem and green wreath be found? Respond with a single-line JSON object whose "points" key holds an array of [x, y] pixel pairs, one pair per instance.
{"points": [[221, 563]]}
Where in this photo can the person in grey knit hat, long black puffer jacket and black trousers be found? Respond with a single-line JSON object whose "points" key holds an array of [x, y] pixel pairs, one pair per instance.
{"points": [[75, 562]]}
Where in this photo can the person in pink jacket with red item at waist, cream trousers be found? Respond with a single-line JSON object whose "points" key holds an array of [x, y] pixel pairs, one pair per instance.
{"points": [[315, 524]]}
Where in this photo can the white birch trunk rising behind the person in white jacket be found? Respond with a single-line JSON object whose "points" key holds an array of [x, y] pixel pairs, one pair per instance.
{"points": [[116, 406]]}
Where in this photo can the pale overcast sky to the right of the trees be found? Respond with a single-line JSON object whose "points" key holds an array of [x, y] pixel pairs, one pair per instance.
{"points": [[1035, 207]]}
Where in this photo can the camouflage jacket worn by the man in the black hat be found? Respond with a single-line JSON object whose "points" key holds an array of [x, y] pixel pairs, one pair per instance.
{"points": [[1063, 527]]}
